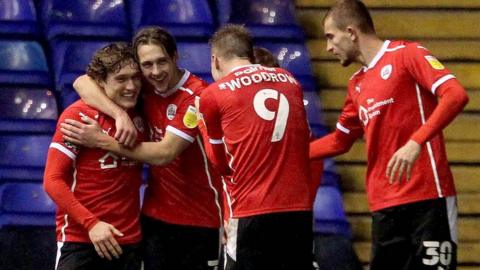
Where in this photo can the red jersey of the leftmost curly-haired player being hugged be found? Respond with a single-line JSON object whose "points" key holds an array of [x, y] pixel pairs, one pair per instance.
{"points": [[94, 184]]}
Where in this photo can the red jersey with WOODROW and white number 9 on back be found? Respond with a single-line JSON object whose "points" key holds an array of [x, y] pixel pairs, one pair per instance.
{"points": [[258, 113]]}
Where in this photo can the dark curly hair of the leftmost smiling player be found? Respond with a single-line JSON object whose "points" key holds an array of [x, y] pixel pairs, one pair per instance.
{"points": [[110, 59]]}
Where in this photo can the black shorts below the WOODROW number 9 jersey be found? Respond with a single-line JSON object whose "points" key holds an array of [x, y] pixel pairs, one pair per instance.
{"points": [[280, 241]]}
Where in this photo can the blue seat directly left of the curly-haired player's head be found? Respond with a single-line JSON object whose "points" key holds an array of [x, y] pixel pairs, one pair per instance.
{"points": [[70, 60]]}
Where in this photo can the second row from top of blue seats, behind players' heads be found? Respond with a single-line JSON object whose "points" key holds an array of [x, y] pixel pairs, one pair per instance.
{"points": [[24, 62]]}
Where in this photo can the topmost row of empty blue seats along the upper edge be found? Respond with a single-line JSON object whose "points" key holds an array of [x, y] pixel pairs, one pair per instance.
{"points": [[115, 18]]}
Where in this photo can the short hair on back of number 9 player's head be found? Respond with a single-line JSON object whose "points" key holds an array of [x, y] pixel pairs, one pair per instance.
{"points": [[233, 40]]}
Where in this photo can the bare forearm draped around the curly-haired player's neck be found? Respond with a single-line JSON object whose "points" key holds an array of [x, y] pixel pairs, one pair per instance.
{"points": [[90, 92]]}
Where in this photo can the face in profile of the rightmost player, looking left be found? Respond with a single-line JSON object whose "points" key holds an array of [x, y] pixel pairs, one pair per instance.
{"points": [[340, 43]]}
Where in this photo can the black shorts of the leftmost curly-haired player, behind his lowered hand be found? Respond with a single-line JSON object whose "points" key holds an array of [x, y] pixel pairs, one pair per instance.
{"points": [[82, 256]]}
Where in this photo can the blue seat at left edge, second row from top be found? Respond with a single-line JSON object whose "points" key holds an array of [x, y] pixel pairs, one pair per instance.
{"points": [[23, 63]]}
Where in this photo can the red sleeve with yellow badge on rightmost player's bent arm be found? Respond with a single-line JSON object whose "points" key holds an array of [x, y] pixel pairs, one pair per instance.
{"points": [[436, 79]]}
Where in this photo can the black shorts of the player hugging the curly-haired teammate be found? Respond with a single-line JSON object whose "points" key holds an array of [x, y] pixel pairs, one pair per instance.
{"points": [[178, 247]]}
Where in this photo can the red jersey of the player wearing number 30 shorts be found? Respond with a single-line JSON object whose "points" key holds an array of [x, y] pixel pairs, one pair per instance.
{"points": [[389, 101]]}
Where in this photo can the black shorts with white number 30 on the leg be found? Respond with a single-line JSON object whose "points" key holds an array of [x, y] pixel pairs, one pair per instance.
{"points": [[420, 235]]}
